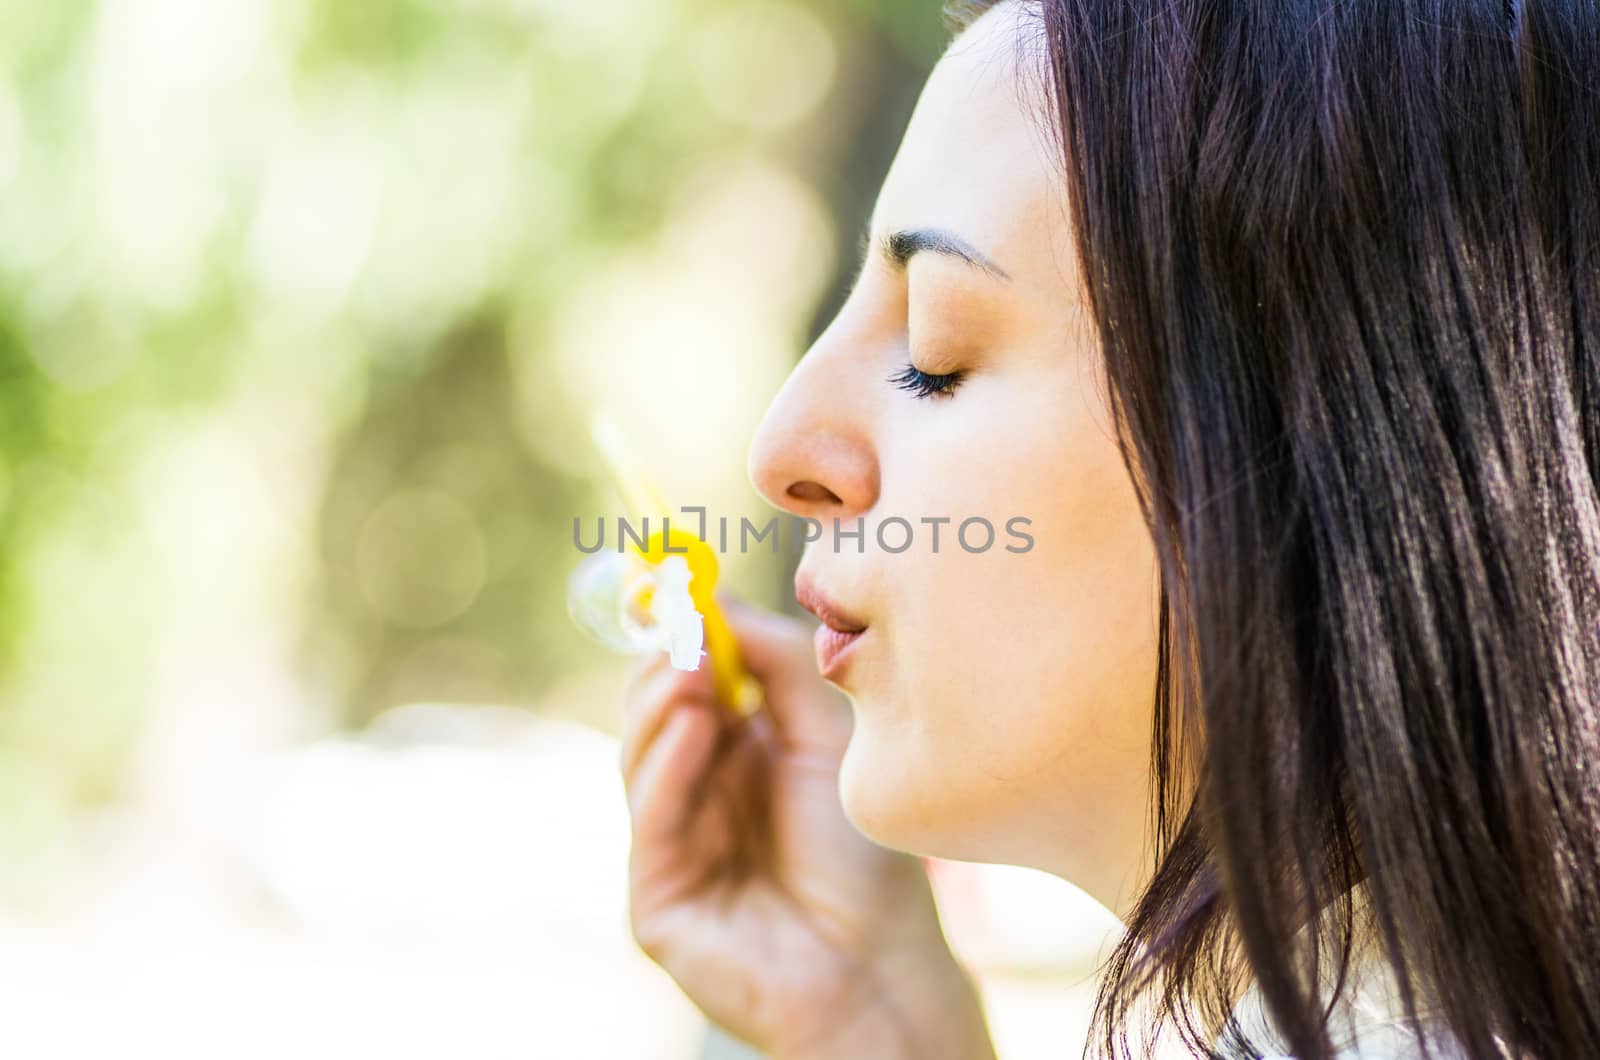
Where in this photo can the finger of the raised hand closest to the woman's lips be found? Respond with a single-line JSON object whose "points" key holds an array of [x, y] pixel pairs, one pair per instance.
{"points": [[778, 652]]}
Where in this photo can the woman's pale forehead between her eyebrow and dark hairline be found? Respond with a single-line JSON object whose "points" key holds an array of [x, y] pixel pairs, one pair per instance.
{"points": [[975, 158]]}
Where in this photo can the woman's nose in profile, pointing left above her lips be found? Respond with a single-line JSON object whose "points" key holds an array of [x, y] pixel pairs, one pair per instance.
{"points": [[814, 454]]}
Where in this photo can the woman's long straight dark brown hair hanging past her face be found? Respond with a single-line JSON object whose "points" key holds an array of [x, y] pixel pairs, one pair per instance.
{"points": [[1345, 259]]}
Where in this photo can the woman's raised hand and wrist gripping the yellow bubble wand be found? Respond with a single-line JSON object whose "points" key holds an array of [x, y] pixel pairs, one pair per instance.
{"points": [[751, 888]]}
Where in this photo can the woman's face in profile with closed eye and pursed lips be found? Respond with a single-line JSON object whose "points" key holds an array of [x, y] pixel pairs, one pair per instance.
{"points": [[1002, 699]]}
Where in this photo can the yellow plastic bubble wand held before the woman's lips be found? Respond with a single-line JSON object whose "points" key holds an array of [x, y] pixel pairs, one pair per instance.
{"points": [[737, 689]]}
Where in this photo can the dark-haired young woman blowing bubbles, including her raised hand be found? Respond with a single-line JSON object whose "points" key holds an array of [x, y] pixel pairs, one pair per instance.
{"points": [[1281, 327]]}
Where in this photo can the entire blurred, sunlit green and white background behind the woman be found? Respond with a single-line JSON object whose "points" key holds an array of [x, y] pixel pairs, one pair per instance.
{"points": [[303, 307]]}
